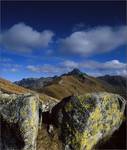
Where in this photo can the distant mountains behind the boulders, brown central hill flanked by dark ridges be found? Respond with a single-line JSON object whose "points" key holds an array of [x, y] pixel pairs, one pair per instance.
{"points": [[74, 82]]}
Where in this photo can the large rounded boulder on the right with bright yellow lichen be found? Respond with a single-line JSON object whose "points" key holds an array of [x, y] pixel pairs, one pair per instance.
{"points": [[83, 121]]}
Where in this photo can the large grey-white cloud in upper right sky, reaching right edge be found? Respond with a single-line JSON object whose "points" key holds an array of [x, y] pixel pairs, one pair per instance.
{"points": [[93, 41]]}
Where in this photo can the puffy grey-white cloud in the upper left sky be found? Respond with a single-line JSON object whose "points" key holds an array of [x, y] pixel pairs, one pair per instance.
{"points": [[24, 38]]}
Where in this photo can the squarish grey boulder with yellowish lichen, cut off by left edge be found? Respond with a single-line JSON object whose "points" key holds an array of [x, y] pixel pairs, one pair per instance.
{"points": [[19, 112]]}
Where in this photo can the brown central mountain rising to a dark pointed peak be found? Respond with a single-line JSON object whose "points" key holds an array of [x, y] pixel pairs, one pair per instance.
{"points": [[72, 83]]}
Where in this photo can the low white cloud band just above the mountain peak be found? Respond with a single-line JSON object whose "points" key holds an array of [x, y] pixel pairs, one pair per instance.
{"points": [[114, 67]]}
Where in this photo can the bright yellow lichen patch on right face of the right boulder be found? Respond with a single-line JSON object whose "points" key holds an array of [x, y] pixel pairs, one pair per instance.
{"points": [[91, 136]]}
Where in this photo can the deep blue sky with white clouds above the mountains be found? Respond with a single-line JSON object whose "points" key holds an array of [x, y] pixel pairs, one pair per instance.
{"points": [[50, 38]]}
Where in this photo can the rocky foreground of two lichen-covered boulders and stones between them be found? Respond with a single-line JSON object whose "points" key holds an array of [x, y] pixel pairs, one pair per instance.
{"points": [[80, 122]]}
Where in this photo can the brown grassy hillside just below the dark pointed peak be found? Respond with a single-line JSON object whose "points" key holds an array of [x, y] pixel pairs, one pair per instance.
{"points": [[71, 85]]}
